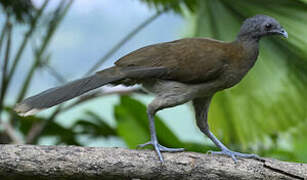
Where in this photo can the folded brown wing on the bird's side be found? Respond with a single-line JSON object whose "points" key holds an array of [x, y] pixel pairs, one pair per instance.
{"points": [[190, 60]]}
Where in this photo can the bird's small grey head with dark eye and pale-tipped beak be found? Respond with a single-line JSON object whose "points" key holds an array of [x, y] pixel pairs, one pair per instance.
{"points": [[259, 26]]}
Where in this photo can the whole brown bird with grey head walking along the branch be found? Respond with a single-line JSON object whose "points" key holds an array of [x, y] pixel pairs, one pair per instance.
{"points": [[190, 69]]}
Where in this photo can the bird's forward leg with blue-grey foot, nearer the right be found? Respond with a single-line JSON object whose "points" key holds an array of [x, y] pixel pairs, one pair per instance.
{"points": [[201, 106]]}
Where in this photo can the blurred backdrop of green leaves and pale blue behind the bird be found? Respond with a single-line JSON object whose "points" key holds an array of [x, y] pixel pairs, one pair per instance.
{"points": [[47, 43]]}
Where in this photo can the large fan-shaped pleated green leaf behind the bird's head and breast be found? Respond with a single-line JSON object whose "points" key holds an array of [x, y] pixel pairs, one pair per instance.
{"points": [[271, 99]]}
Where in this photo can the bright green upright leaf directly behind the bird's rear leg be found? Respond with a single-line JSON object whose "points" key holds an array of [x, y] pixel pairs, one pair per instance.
{"points": [[134, 128]]}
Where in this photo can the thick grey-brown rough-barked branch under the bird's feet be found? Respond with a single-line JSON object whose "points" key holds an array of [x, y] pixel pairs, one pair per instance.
{"points": [[71, 162]]}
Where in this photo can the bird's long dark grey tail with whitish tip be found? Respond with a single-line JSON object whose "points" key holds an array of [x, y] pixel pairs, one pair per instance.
{"points": [[57, 95]]}
